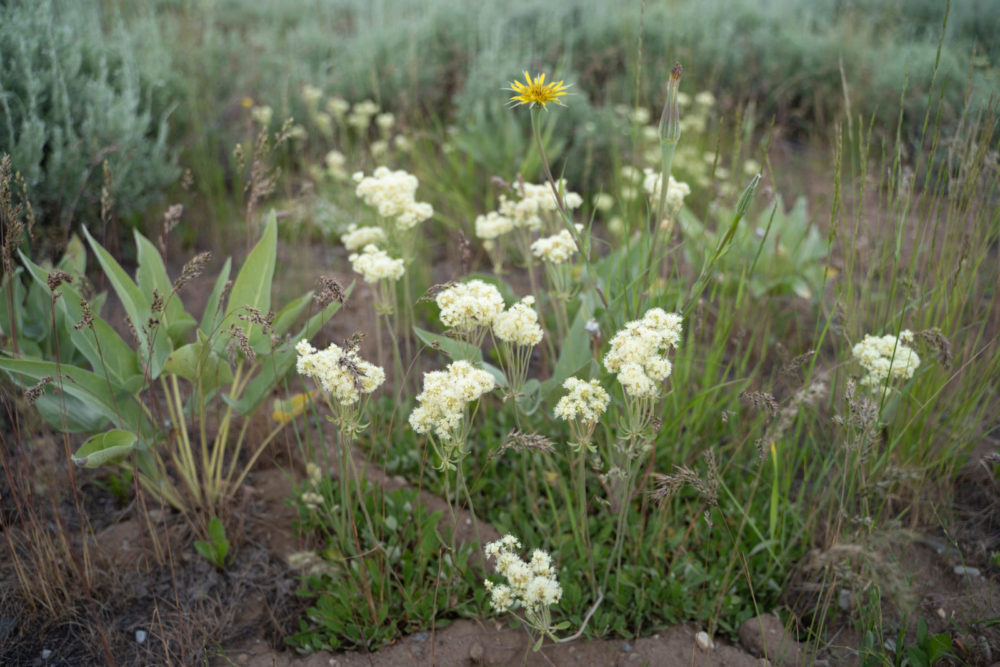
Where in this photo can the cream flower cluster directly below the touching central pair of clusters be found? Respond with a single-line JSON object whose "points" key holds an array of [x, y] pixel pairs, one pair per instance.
{"points": [[445, 396]]}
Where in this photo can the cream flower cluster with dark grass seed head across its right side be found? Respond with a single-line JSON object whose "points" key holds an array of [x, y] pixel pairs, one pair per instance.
{"points": [[342, 373]]}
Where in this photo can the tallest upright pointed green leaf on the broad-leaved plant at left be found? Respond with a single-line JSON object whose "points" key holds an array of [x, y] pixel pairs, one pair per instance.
{"points": [[252, 286]]}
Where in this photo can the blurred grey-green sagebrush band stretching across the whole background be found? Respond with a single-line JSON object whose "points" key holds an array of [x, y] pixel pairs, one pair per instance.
{"points": [[155, 86]]}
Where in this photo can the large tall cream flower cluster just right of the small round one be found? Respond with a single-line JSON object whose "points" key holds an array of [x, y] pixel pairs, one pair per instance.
{"points": [[638, 352]]}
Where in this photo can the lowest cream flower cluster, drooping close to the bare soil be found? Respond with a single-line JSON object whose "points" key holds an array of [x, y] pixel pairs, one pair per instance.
{"points": [[531, 584]]}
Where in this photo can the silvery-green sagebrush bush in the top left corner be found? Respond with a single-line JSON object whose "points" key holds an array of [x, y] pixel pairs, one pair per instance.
{"points": [[75, 93]]}
